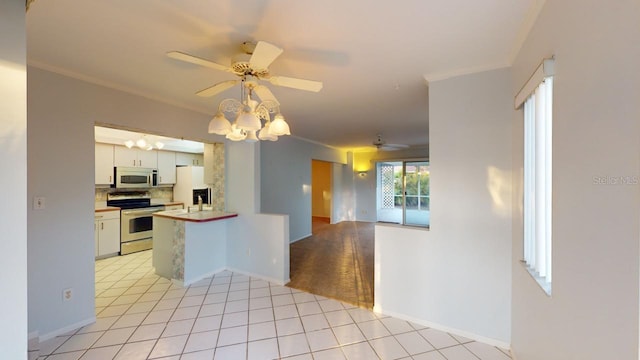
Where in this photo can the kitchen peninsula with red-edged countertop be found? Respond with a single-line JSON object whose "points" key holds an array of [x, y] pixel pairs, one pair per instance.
{"points": [[189, 245]]}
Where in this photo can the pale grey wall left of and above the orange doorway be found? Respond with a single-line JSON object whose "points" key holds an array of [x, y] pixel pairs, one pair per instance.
{"points": [[286, 180]]}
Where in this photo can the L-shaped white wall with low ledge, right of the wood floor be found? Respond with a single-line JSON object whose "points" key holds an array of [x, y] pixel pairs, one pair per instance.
{"points": [[457, 275]]}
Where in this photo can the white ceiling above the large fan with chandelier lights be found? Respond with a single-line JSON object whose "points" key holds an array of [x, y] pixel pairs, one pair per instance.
{"points": [[372, 56]]}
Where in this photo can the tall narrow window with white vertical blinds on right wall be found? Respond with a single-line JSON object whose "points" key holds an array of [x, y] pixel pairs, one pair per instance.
{"points": [[537, 180]]}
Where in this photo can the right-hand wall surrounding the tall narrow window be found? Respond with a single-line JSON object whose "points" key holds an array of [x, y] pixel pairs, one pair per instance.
{"points": [[593, 310]]}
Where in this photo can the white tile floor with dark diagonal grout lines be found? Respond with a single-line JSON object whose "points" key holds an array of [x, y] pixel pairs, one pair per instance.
{"points": [[233, 316]]}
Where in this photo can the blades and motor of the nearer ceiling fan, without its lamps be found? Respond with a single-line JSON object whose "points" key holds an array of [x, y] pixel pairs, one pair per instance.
{"points": [[250, 65]]}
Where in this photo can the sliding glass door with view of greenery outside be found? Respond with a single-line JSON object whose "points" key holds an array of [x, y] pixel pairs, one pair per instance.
{"points": [[403, 192]]}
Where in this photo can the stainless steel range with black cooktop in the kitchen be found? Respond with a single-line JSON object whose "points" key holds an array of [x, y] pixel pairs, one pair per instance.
{"points": [[136, 217]]}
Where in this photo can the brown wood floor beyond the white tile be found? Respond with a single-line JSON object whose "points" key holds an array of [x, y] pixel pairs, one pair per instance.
{"points": [[335, 262]]}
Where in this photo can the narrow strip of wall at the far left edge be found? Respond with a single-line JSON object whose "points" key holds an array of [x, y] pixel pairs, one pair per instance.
{"points": [[13, 157]]}
